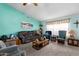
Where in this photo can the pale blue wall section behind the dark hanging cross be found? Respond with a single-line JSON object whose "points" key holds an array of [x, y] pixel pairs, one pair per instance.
{"points": [[73, 26]]}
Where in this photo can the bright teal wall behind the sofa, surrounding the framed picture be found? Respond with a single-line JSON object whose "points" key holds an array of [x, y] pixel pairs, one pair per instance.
{"points": [[10, 20]]}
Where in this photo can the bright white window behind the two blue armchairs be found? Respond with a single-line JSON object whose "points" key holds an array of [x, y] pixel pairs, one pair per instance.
{"points": [[56, 27]]}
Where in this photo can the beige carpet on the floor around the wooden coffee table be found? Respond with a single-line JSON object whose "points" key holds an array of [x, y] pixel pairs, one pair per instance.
{"points": [[53, 49]]}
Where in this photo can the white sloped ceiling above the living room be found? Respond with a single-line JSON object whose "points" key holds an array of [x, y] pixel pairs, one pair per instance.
{"points": [[48, 11]]}
